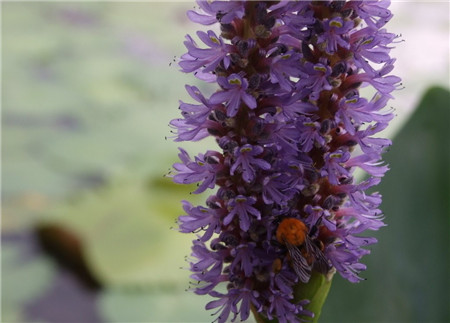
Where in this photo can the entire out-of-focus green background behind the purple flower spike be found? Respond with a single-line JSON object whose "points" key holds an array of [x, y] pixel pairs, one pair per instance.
{"points": [[88, 90]]}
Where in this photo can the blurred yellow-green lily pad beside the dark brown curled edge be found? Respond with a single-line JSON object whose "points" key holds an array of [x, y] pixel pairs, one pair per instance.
{"points": [[127, 230]]}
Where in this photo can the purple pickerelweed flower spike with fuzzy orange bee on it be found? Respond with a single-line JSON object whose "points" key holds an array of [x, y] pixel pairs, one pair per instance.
{"points": [[292, 127]]}
